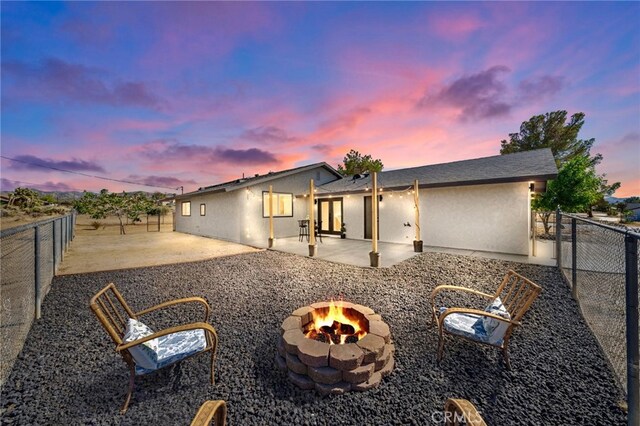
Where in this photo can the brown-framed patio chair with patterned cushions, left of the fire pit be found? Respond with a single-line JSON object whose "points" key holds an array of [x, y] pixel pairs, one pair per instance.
{"points": [[143, 350]]}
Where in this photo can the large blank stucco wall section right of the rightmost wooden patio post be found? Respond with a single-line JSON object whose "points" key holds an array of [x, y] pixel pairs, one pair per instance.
{"points": [[479, 217]]}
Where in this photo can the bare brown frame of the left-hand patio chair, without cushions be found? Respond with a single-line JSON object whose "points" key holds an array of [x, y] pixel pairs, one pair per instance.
{"points": [[104, 306]]}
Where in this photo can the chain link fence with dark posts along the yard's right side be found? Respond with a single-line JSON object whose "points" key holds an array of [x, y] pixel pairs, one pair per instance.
{"points": [[600, 263]]}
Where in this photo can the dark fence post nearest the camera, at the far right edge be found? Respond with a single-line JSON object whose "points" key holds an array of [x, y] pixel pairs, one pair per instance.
{"points": [[633, 378]]}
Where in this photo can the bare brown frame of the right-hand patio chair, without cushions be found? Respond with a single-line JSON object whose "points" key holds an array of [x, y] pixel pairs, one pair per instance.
{"points": [[517, 294]]}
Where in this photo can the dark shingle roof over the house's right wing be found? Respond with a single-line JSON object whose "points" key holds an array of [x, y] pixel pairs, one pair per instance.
{"points": [[538, 165]]}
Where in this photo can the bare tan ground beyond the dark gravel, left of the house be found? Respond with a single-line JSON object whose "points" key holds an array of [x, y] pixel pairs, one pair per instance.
{"points": [[104, 249]]}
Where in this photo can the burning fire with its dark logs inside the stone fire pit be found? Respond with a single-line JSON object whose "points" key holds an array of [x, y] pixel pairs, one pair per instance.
{"points": [[336, 325]]}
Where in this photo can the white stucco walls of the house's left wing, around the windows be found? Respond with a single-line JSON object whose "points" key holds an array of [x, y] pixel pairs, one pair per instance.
{"points": [[237, 215]]}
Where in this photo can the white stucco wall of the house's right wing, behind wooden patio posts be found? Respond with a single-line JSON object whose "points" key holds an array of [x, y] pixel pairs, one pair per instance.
{"points": [[479, 217]]}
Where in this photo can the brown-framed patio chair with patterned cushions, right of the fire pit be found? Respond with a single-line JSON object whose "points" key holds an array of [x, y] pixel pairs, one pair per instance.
{"points": [[492, 326]]}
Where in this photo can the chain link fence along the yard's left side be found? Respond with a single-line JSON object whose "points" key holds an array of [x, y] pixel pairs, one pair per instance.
{"points": [[29, 256]]}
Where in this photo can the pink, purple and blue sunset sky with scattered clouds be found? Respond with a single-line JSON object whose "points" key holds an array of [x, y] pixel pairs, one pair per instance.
{"points": [[191, 94]]}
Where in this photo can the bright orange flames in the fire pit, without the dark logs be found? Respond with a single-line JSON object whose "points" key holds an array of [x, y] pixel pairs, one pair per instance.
{"points": [[336, 313]]}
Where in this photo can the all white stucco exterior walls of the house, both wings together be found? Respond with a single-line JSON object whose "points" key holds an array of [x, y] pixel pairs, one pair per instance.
{"points": [[478, 217]]}
